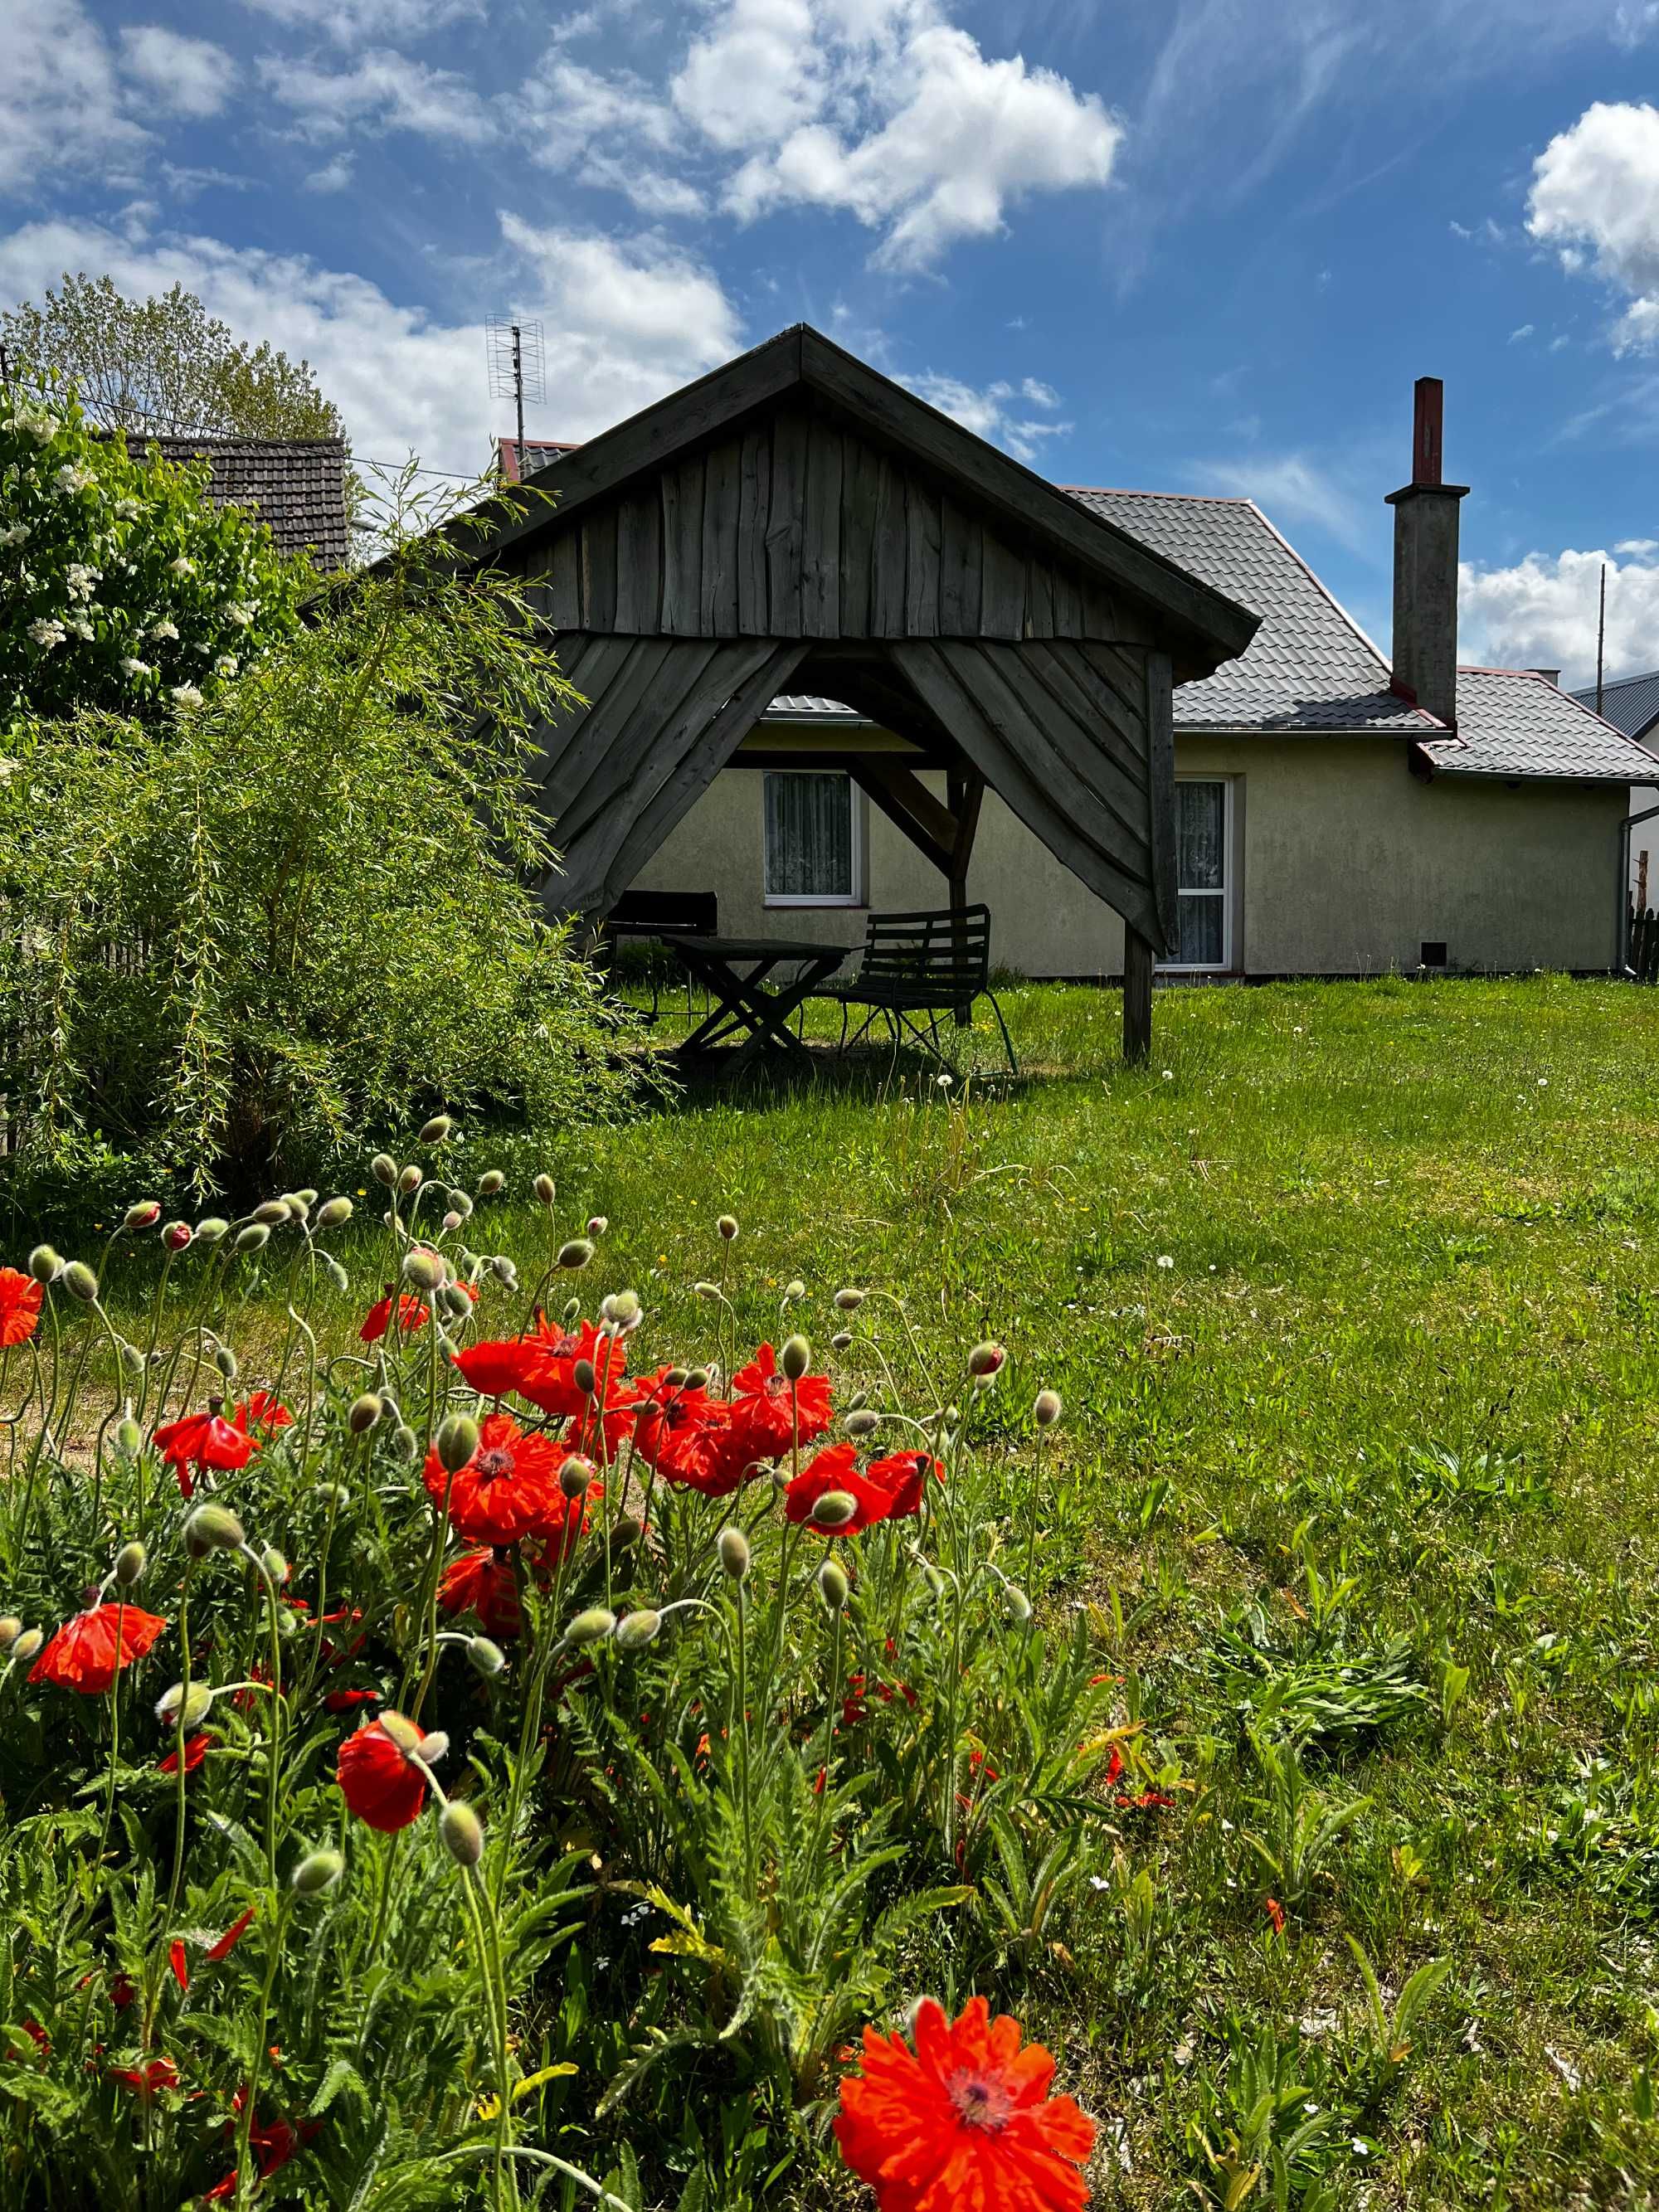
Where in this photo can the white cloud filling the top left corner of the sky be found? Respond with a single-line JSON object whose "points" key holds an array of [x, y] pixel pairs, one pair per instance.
{"points": [[61, 105]]}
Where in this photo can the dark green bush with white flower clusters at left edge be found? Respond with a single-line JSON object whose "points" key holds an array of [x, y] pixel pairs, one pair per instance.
{"points": [[121, 585]]}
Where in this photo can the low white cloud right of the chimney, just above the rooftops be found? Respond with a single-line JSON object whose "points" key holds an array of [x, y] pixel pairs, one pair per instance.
{"points": [[1543, 612]]}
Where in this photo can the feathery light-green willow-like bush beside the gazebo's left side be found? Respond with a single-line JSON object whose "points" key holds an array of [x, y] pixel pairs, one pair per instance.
{"points": [[304, 910]]}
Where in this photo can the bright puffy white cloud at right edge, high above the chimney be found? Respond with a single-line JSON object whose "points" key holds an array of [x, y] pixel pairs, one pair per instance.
{"points": [[1596, 200]]}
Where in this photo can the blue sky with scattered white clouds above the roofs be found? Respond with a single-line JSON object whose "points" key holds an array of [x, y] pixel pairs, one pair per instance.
{"points": [[1185, 244]]}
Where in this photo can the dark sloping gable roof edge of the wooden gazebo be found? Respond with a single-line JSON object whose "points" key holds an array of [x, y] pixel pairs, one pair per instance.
{"points": [[1200, 625]]}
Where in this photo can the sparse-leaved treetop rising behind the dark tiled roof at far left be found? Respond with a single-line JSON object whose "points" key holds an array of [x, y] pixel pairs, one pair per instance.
{"points": [[165, 366]]}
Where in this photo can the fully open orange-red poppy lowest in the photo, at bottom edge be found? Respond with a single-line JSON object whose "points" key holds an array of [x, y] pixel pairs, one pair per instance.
{"points": [[963, 2120]]}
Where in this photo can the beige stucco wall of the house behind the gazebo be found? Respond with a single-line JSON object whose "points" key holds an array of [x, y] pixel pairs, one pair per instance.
{"points": [[1344, 866]]}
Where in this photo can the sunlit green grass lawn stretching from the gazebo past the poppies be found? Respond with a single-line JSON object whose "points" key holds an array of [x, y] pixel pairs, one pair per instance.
{"points": [[1353, 1297]]}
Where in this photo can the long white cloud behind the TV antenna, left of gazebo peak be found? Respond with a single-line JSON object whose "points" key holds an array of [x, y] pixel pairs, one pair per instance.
{"points": [[627, 322]]}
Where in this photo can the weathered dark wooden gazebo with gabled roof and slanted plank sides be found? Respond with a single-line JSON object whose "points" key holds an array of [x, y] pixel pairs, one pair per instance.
{"points": [[797, 523]]}
